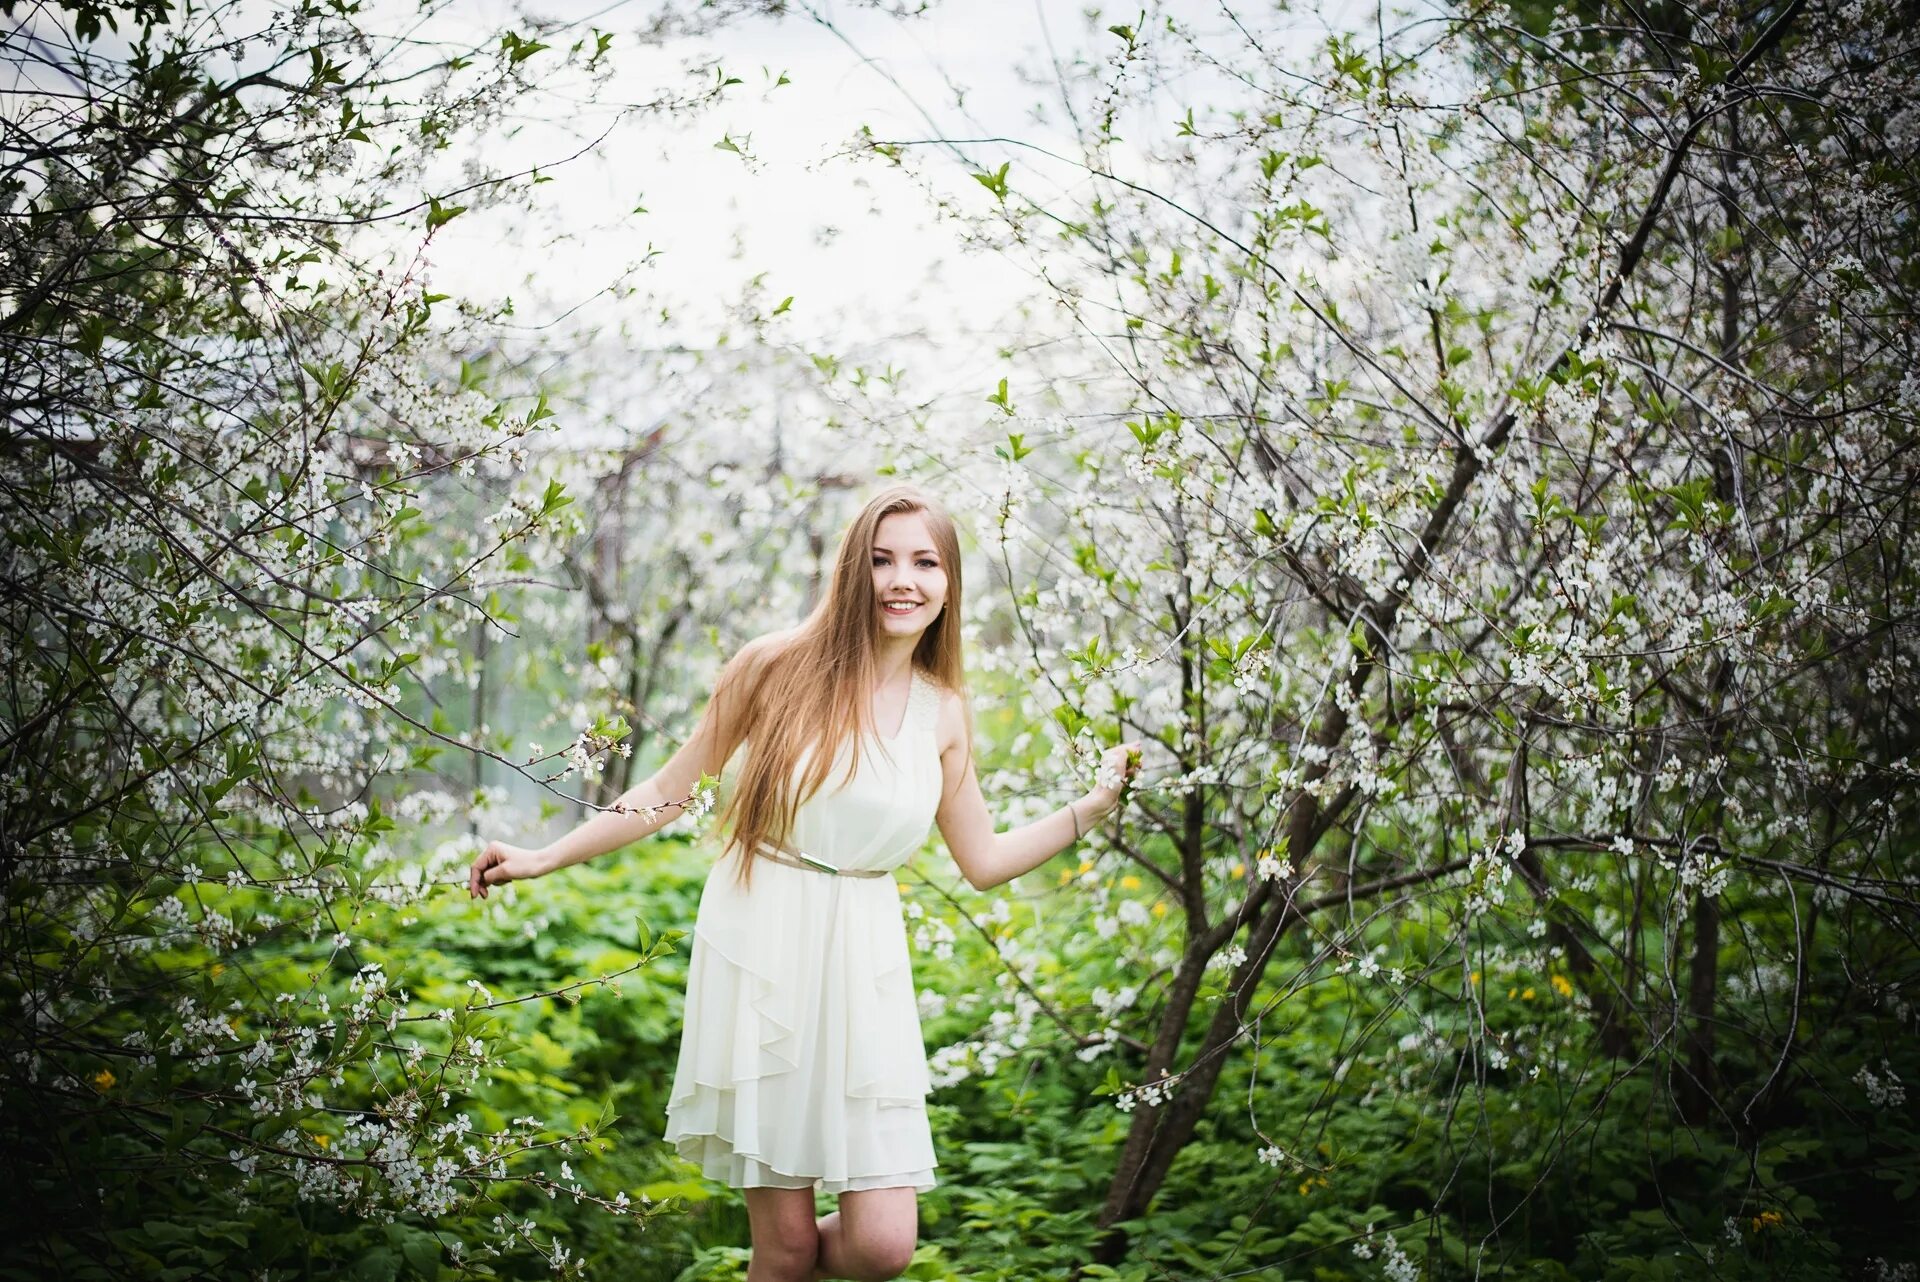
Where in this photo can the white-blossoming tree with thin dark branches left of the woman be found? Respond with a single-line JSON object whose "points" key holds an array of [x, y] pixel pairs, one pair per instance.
{"points": [[258, 508]]}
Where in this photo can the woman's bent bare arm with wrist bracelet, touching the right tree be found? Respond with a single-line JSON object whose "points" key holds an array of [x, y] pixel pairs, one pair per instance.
{"points": [[990, 859]]}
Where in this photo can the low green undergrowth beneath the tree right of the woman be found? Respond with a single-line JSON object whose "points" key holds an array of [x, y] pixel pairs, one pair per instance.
{"points": [[1472, 1168]]}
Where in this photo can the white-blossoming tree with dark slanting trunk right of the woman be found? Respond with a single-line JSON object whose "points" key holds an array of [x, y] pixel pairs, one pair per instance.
{"points": [[1479, 452]]}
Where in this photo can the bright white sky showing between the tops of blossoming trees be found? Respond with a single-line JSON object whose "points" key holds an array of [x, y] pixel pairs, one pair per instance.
{"points": [[852, 239]]}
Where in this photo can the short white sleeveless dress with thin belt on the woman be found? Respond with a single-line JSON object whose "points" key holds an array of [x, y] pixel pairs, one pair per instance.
{"points": [[802, 1062]]}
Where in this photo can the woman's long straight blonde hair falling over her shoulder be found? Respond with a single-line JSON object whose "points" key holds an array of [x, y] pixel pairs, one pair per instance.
{"points": [[804, 692]]}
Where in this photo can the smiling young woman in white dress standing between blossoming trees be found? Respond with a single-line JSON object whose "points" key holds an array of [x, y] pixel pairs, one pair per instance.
{"points": [[802, 1062]]}
